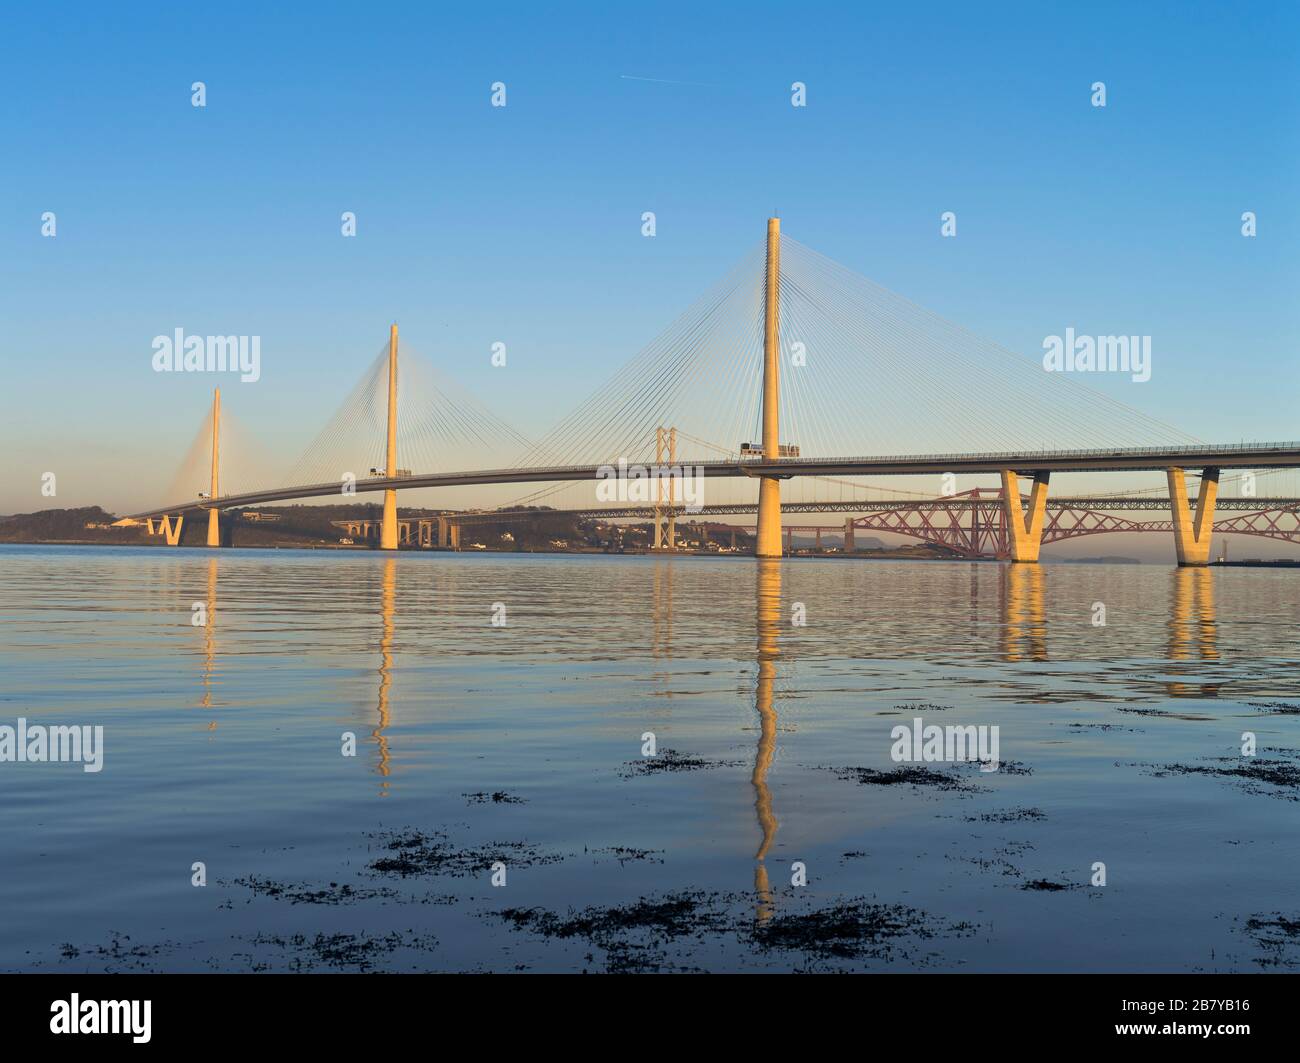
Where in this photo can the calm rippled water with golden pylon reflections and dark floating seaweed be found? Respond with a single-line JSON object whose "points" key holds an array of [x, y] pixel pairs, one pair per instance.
{"points": [[521, 744]]}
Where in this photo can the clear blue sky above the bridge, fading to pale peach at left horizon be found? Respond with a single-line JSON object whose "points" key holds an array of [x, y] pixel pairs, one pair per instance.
{"points": [[523, 224]]}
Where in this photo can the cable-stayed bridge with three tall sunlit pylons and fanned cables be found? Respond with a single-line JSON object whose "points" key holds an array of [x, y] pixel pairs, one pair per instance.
{"points": [[799, 371]]}
